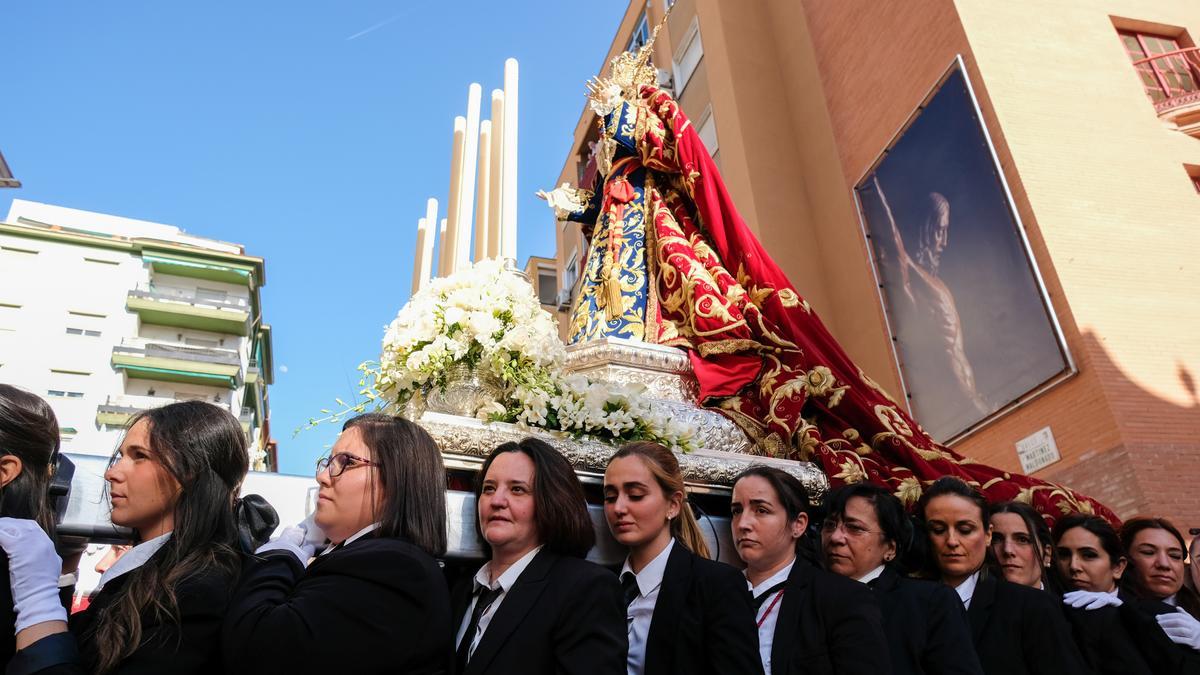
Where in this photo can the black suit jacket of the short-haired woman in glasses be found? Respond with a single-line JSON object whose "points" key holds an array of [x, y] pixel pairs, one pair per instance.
{"points": [[927, 628]]}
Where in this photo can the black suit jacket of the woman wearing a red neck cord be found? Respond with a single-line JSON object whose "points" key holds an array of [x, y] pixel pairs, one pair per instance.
{"points": [[829, 624]]}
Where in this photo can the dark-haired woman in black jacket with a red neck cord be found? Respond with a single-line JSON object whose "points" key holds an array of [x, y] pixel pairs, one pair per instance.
{"points": [[809, 620]]}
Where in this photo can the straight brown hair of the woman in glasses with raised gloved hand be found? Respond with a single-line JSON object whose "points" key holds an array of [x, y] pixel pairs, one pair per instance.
{"points": [[413, 480]]}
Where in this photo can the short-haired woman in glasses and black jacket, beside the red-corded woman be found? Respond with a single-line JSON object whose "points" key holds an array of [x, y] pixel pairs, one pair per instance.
{"points": [[863, 537]]}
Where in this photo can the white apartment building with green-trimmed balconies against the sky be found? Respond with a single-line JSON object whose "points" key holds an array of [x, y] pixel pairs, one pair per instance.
{"points": [[106, 316]]}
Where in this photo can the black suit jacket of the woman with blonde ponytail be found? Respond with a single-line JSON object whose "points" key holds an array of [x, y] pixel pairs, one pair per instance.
{"points": [[704, 620]]}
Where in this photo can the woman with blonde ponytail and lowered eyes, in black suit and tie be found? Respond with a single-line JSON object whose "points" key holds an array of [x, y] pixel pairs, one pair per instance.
{"points": [[686, 613]]}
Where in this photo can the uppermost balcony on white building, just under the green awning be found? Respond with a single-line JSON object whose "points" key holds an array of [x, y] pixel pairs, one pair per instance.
{"points": [[187, 308]]}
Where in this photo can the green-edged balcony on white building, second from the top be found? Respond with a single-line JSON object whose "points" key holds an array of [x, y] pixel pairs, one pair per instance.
{"points": [[172, 362]]}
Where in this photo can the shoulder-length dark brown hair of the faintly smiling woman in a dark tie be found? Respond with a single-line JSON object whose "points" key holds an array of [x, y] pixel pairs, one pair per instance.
{"points": [[561, 510]]}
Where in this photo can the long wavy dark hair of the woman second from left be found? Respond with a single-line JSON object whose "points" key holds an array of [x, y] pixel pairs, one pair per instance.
{"points": [[205, 449]]}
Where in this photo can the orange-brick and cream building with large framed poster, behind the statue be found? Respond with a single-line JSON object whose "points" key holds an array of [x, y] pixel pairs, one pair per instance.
{"points": [[1087, 117]]}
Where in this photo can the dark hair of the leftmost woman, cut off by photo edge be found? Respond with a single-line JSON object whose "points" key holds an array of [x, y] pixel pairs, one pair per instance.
{"points": [[29, 432]]}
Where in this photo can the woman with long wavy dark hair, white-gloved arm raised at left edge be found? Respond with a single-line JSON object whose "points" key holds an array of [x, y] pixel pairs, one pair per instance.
{"points": [[159, 610]]}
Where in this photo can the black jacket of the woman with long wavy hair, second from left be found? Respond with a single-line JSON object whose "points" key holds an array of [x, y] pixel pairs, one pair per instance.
{"points": [[190, 647]]}
